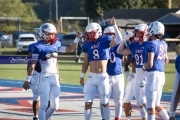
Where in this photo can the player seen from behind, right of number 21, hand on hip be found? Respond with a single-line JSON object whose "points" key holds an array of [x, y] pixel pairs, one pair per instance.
{"points": [[157, 57]]}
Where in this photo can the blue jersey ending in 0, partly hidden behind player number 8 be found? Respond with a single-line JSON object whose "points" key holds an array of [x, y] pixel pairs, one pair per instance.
{"points": [[115, 66]]}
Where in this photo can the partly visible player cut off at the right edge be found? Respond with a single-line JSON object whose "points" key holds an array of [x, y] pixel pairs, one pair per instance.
{"points": [[176, 92]]}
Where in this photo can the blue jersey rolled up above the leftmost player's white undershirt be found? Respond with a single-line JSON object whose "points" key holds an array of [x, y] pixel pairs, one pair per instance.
{"points": [[46, 50]]}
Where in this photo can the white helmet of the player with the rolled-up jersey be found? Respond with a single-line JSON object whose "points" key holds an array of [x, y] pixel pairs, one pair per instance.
{"points": [[47, 28]]}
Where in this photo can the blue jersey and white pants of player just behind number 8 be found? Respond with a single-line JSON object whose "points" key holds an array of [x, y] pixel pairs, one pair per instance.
{"points": [[116, 79]]}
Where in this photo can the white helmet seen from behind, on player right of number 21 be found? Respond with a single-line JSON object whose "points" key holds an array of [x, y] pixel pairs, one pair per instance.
{"points": [[155, 28]]}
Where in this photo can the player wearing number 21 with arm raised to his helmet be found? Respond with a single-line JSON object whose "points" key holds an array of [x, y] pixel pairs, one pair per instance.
{"points": [[138, 51]]}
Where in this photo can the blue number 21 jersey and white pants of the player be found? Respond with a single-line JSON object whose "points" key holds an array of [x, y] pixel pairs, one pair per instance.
{"points": [[139, 54]]}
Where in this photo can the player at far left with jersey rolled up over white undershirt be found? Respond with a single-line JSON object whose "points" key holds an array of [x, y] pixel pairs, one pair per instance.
{"points": [[46, 52]]}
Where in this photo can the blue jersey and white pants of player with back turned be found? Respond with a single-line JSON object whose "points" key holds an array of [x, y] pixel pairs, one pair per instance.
{"points": [[155, 75]]}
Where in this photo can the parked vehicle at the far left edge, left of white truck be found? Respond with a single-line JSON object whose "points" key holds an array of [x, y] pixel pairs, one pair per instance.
{"points": [[6, 40]]}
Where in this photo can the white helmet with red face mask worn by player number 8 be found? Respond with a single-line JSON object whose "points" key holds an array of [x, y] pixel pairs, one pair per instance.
{"points": [[94, 28]]}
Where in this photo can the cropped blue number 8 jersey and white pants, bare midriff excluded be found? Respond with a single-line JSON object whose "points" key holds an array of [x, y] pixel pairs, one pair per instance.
{"points": [[97, 50]]}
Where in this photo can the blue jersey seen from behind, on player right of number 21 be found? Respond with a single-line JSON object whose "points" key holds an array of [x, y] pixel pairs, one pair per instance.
{"points": [[159, 48]]}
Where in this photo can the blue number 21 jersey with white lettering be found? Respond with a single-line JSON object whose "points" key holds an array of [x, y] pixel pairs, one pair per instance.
{"points": [[139, 53]]}
